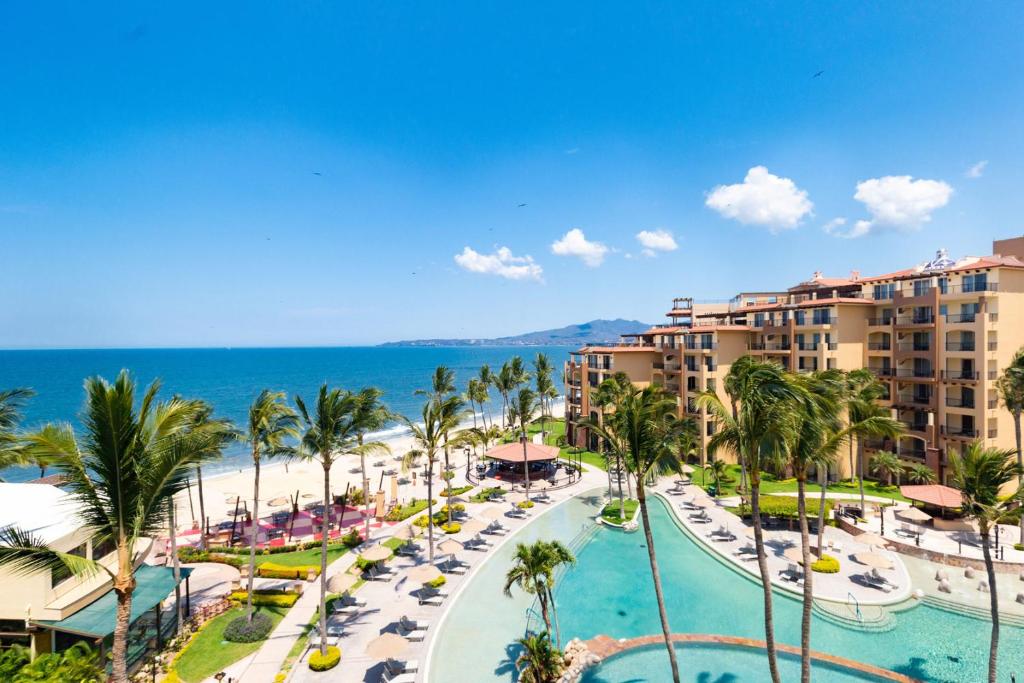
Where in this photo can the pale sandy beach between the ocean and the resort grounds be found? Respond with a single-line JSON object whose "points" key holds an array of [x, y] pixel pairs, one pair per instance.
{"points": [[306, 478]]}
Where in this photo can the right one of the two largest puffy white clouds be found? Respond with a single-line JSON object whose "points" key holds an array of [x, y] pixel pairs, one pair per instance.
{"points": [[902, 202]]}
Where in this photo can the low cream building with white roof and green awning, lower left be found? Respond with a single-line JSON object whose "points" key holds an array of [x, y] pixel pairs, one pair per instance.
{"points": [[49, 611]]}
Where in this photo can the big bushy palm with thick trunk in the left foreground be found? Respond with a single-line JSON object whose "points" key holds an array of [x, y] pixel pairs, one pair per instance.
{"points": [[123, 474]]}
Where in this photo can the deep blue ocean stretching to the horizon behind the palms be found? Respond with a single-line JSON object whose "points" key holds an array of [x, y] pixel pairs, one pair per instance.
{"points": [[230, 379]]}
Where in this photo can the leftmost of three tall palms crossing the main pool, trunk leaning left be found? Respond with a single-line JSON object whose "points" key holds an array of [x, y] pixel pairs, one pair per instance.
{"points": [[645, 431]]}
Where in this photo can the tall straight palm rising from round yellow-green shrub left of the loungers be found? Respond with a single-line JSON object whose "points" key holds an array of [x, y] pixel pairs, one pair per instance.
{"points": [[331, 431]]}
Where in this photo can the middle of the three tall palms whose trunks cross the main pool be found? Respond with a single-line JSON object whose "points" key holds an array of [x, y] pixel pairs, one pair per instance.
{"points": [[757, 433]]}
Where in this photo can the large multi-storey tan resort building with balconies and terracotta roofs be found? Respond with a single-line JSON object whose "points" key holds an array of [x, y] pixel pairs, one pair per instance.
{"points": [[937, 335]]}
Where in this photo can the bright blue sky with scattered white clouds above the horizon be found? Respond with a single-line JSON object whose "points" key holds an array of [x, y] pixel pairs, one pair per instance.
{"points": [[307, 174]]}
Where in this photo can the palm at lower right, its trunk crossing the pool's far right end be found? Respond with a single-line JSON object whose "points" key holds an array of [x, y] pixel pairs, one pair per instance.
{"points": [[982, 474]]}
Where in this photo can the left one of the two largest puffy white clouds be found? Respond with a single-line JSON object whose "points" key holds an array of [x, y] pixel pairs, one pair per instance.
{"points": [[762, 199]]}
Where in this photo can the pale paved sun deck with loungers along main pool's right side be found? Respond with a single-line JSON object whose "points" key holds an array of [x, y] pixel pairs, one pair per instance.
{"points": [[837, 587]]}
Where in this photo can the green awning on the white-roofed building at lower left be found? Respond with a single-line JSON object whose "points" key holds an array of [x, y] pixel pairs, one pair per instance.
{"points": [[153, 584]]}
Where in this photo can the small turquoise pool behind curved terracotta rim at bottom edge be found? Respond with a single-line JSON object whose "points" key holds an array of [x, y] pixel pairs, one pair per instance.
{"points": [[709, 664]]}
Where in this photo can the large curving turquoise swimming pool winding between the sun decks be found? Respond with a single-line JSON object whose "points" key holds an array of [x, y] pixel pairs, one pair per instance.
{"points": [[610, 592]]}
